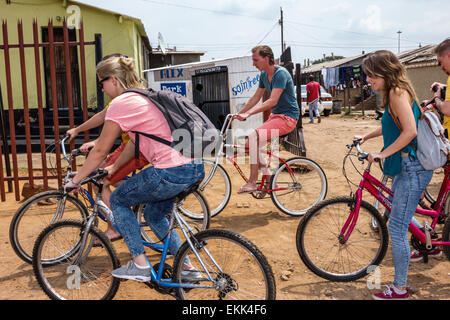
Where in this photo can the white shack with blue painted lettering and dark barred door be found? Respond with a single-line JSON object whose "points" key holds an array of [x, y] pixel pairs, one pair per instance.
{"points": [[218, 87]]}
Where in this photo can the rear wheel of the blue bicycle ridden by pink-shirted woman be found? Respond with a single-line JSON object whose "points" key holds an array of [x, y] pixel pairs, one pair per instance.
{"points": [[232, 267]]}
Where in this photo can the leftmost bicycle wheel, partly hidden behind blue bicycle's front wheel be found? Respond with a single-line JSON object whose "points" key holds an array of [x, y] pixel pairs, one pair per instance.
{"points": [[38, 212]]}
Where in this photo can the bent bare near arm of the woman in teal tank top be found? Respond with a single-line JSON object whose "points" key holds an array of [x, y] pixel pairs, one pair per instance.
{"points": [[400, 104]]}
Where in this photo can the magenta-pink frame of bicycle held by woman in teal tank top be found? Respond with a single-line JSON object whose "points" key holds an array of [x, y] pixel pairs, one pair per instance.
{"points": [[376, 189]]}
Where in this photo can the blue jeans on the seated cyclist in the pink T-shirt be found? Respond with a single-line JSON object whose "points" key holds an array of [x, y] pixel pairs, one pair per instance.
{"points": [[157, 188]]}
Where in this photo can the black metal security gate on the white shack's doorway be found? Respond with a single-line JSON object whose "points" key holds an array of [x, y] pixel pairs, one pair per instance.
{"points": [[210, 93]]}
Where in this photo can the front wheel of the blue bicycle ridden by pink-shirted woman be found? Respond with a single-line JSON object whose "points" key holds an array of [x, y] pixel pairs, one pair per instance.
{"points": [[75, 273]]}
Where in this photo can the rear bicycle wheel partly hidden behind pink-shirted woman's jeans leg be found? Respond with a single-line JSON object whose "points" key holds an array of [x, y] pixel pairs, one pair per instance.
{"points": [[194, 202]]}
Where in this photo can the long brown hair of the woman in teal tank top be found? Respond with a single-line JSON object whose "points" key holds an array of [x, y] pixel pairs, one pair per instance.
{"points": [[385, 64]]}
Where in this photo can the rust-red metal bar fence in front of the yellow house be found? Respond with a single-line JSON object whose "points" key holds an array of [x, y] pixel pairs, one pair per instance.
{"points": [[63, 46]]}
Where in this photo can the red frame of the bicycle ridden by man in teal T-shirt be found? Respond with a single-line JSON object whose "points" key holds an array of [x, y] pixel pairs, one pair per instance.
{"points": [[231, 159]]}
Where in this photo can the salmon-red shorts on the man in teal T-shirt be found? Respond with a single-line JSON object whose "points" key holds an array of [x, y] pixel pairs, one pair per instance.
{"points": [[276, 125]]}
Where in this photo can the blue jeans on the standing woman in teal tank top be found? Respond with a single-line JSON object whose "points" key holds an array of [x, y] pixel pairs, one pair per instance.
{"points": [[408, 186]]}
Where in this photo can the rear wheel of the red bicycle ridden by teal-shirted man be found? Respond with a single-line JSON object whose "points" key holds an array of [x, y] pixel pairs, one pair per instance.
{"points": [[305, 185]]}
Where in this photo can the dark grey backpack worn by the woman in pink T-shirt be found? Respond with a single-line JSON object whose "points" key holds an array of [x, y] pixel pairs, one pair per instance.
{"points": [[193, 133]]}
